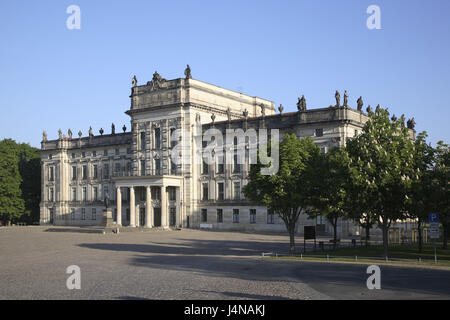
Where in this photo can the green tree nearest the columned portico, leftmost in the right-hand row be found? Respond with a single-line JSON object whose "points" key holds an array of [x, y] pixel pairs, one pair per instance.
{"points": [[288, 192]]}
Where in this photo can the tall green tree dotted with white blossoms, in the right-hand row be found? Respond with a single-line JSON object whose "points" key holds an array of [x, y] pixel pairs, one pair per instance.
{"points": [[381, 157]]}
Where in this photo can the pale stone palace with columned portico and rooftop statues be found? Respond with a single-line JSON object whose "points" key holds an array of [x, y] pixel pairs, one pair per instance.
{"points": [[147, 188]]}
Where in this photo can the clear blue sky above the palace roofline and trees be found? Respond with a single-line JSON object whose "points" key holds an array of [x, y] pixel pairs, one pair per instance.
{"points": [[52, 77]]}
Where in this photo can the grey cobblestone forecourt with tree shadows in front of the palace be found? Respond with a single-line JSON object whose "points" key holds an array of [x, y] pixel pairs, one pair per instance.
{"points": [[187, 264]]}
